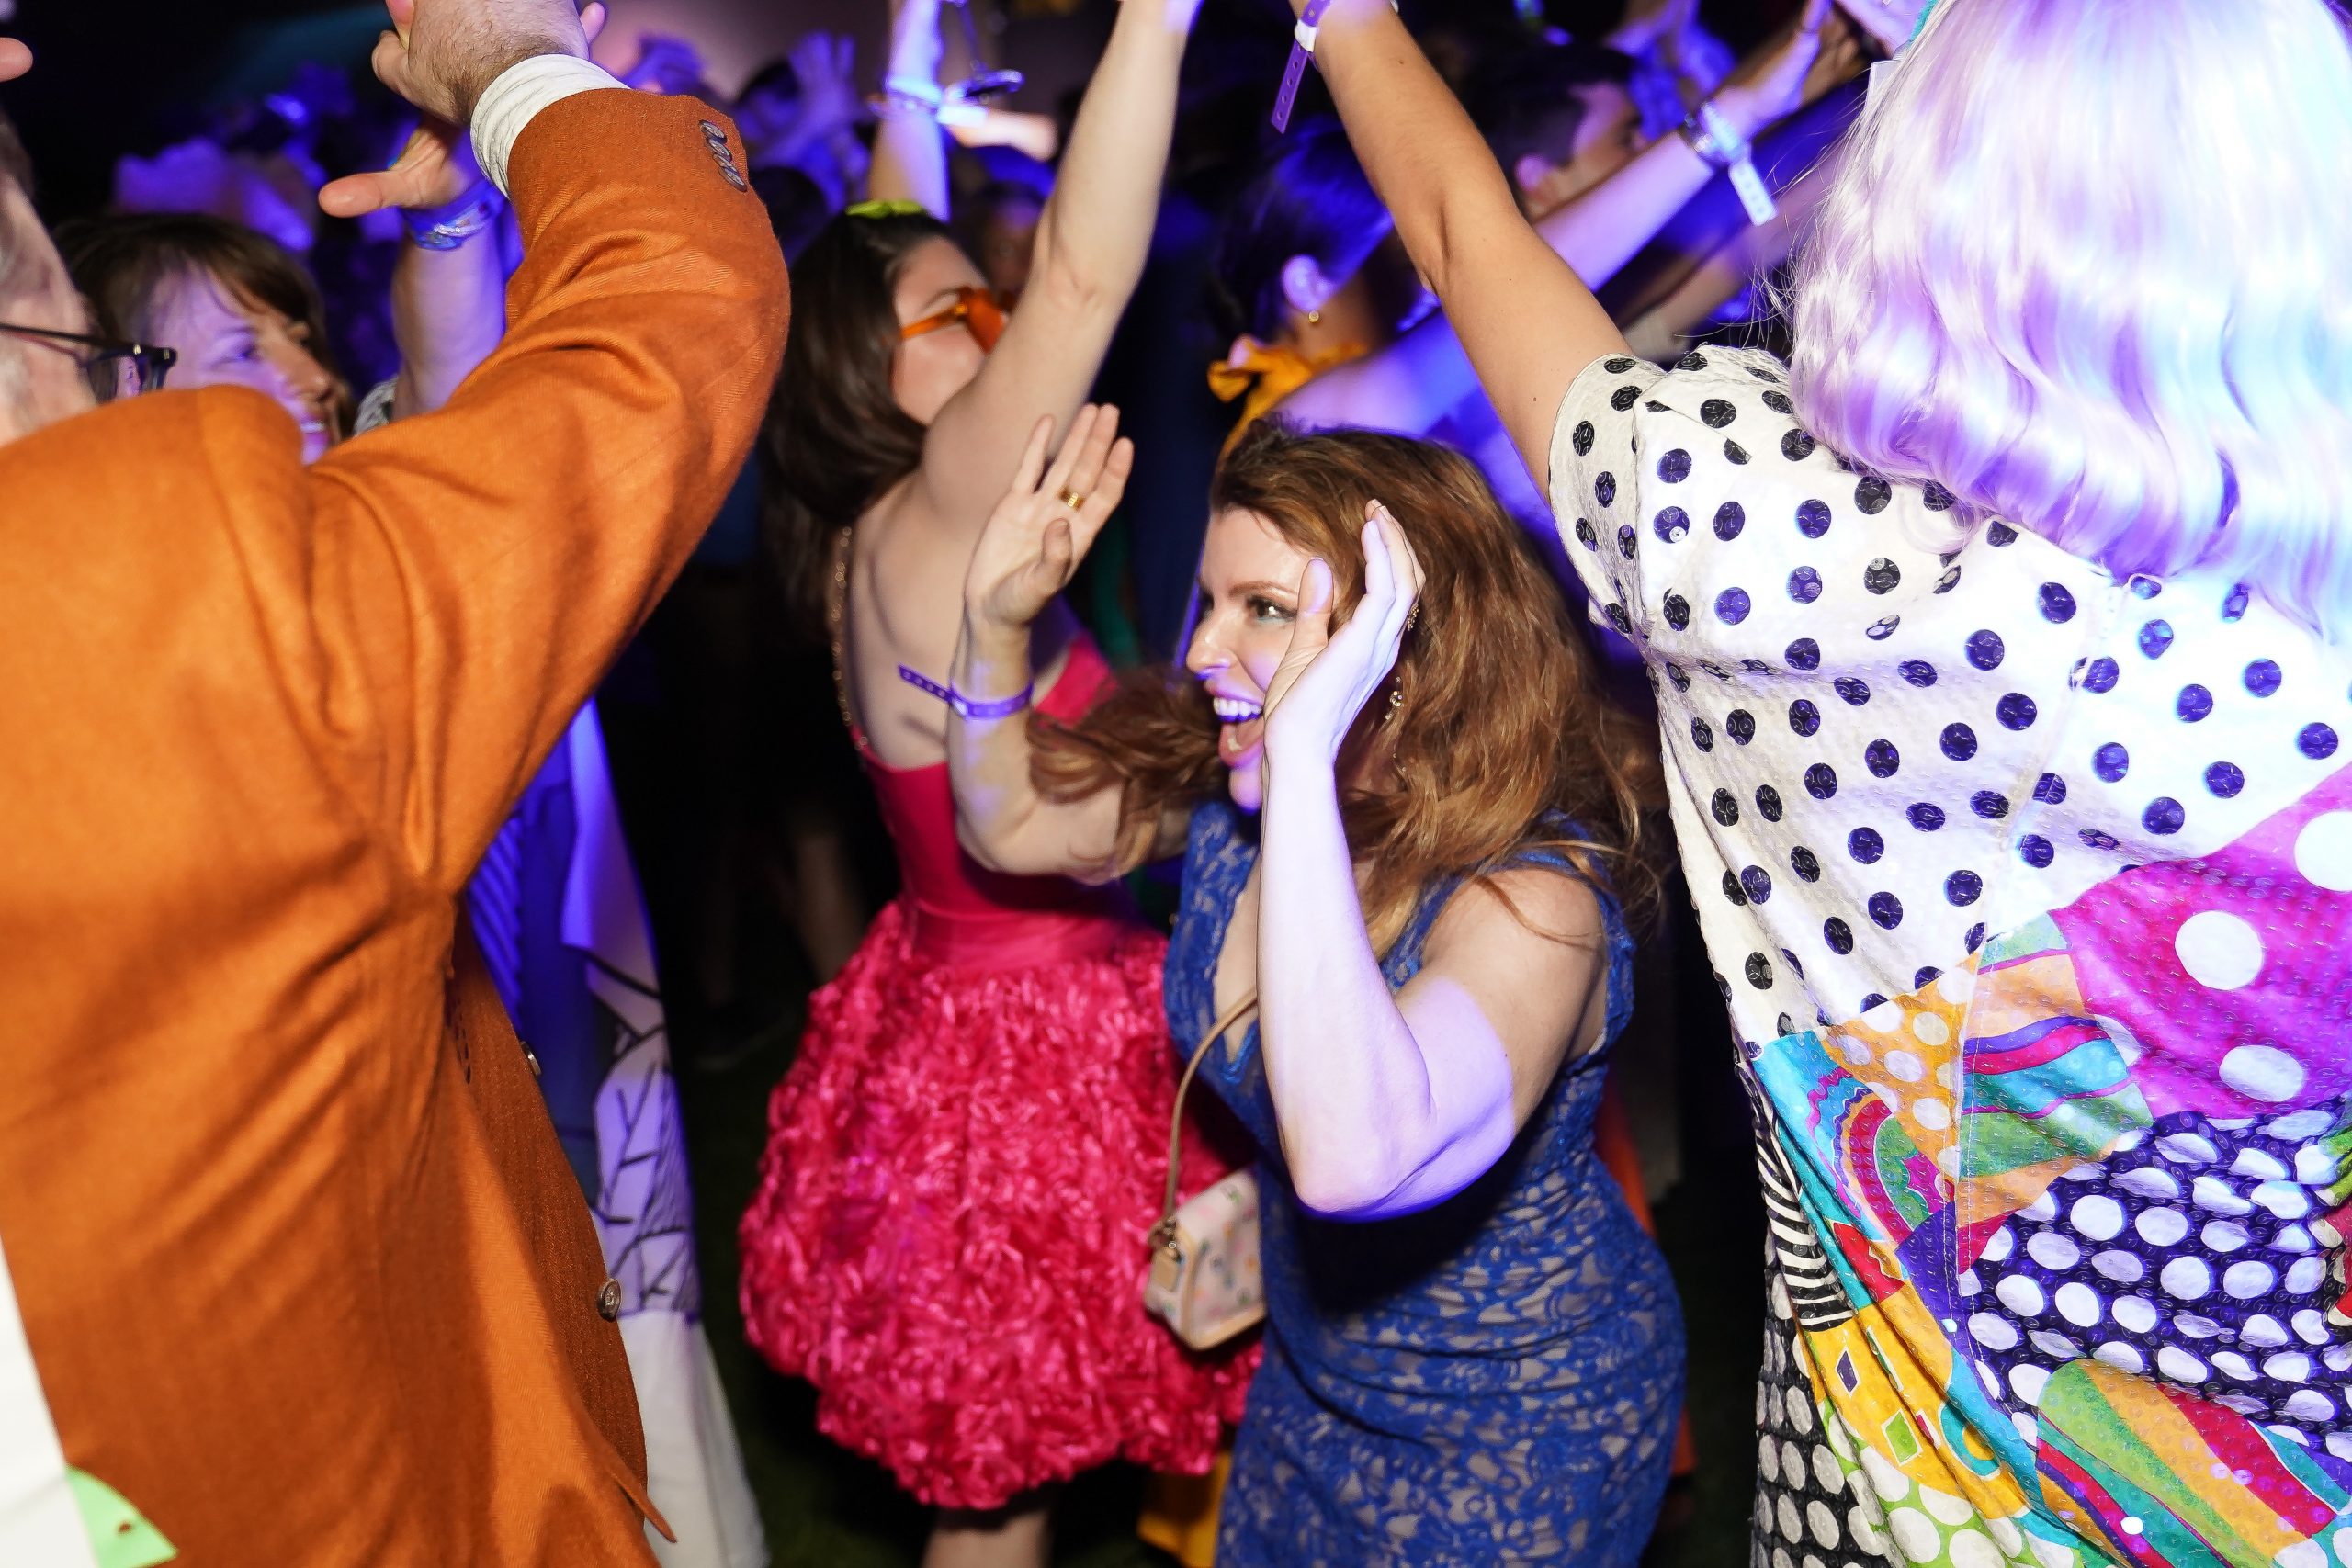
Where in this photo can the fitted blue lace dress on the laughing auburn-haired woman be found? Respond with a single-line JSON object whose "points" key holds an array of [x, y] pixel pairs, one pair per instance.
{"points": [[1490, 1381]]}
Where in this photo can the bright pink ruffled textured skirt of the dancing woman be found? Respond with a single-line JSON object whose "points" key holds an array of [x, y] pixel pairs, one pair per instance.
{"points": [[951, 1224]]}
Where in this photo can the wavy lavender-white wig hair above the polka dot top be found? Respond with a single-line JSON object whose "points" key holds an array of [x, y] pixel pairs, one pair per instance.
{"points": [[2090, 267]]}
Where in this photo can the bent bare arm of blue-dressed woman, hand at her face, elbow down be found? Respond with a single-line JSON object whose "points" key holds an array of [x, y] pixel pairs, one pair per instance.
{"points": [[1387, 1101]]}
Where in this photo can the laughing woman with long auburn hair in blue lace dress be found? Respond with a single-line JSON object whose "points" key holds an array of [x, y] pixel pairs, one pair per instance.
{"points": [[1408, 822]]}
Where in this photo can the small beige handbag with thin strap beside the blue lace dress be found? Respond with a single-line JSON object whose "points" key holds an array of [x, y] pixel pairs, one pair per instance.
{"points": [[1205, 1275]]}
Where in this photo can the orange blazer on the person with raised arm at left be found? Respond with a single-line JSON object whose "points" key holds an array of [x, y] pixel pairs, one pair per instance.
{"points": [[300, 1261]]}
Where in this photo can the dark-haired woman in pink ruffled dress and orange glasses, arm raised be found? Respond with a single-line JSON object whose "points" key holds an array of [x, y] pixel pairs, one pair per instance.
{"points": [[977, 1120]]}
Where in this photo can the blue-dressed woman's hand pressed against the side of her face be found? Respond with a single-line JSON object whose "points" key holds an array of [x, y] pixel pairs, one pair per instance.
{"points": [[1328, 678]]}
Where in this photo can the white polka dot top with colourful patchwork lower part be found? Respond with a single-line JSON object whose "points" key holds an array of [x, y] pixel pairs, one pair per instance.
{"points": [[2031, 897]]}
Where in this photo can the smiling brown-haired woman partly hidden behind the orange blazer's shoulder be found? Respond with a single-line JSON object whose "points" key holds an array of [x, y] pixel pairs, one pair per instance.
{"points": [[234, 304]]}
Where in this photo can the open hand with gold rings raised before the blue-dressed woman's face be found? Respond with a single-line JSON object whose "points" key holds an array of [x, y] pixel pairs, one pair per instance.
{"points": [[1048, 521]]}
